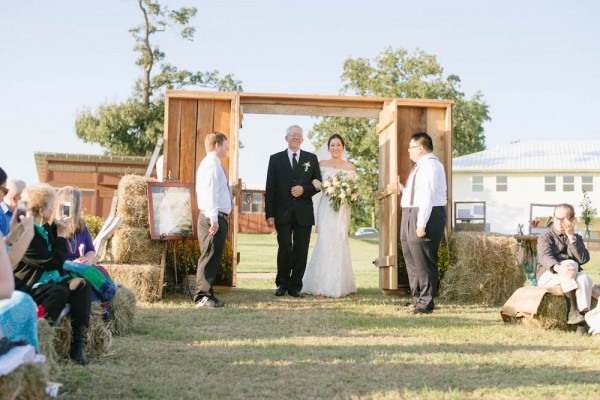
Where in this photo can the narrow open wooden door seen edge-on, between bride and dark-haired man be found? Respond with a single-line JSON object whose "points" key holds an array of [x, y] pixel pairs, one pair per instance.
{"points": [[387, 196]]}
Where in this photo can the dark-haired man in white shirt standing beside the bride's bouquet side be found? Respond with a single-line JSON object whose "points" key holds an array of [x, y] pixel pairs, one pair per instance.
{"points": [[423, 220]]}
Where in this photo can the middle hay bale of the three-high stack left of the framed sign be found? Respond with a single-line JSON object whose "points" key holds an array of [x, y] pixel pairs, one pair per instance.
{"points": [[133, 245]]}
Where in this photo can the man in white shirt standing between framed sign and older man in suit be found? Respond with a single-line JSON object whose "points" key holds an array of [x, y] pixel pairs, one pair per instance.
{"points": [[214, 203]]}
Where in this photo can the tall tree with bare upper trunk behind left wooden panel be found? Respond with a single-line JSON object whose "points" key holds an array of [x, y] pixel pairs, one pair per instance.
{"points": [[133, 127]]}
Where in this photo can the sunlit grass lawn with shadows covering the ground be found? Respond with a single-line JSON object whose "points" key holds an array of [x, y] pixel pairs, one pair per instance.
{"points": [[364, 346]]}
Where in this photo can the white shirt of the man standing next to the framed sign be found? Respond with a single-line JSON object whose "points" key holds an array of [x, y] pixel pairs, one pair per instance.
{"points": [[212, 189]]}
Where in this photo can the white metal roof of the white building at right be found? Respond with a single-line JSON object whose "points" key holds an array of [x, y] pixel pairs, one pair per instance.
{"points": [[534, 155]]}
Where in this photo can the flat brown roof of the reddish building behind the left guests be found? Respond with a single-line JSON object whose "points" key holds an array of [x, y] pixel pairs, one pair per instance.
{"points": [[41, 161]]}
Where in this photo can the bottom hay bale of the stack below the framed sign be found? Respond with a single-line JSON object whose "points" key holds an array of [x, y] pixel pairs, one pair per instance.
{"points": [[146, 281]]}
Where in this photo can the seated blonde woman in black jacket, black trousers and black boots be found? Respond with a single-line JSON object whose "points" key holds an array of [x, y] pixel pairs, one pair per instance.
{"points": [[41, 273]]}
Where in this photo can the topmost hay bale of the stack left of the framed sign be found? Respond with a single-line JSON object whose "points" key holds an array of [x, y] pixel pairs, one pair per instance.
{"points": [[132, 200]]}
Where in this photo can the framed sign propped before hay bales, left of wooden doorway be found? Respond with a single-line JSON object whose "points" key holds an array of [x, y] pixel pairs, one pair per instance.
{"points": [[170, 210]]}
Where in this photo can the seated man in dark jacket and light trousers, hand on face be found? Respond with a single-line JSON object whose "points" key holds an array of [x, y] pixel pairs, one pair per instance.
{"points": [[561, 253]]}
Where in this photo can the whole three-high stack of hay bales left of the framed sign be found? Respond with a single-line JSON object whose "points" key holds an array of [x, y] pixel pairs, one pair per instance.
{"points": [[136, 258]]}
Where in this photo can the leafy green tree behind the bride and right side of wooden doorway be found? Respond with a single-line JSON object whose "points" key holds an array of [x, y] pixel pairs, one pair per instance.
{"points": [[396, 73]]}
